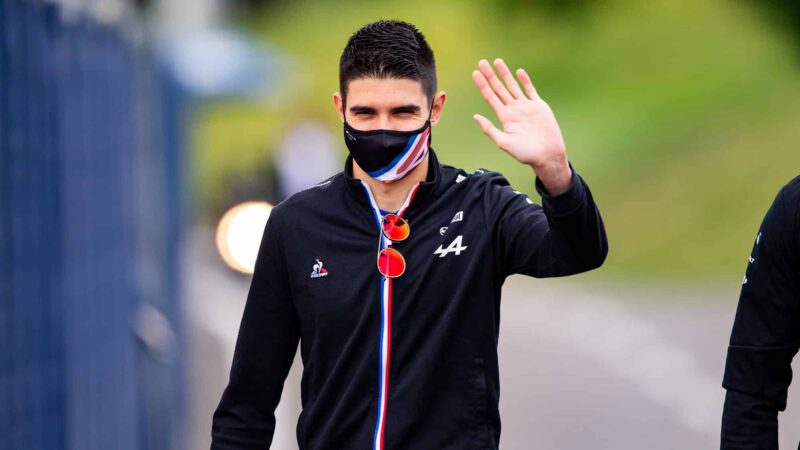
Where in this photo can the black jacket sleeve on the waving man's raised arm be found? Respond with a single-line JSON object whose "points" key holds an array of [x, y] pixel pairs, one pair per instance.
{"points": [[563, 236]]}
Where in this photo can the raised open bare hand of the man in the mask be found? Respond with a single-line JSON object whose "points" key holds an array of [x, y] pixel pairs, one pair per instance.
{"points": [[530, 132]]}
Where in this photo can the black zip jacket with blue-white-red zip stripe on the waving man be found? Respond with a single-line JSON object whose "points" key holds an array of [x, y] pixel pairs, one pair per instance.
{"points": [[404, 363]]}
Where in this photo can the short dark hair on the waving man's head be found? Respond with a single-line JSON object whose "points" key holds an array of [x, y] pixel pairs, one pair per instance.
{"points": [[388, 49]]}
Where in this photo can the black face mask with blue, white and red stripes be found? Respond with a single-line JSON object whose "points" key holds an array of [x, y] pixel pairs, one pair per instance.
{"points": [[388, 155]]}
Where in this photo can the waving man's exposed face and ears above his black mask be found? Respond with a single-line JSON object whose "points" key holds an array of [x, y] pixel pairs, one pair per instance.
{"points": [[387, 103]]}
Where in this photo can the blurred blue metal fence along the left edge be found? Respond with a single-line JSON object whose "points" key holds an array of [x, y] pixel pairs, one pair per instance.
{"points": [[90, 223]]}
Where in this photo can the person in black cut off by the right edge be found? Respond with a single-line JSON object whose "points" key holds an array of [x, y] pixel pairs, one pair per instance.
{"points": [[766, 331]]}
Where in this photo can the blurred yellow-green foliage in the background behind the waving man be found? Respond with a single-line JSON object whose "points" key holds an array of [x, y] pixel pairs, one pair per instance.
{"points": [[683, 117]]}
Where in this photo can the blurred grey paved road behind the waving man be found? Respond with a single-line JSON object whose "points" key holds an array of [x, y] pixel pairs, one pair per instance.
{"points": [[581, 367]]}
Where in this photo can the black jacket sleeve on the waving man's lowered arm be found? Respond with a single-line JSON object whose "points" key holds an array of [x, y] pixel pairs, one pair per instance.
{"points": [[265, 349]]}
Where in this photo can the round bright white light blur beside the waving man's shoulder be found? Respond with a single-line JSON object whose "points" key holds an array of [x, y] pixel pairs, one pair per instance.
{"points": [[239, 234]]}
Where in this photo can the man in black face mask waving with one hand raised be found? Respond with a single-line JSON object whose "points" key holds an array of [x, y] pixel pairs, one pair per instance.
{"points": [[391, 270]]}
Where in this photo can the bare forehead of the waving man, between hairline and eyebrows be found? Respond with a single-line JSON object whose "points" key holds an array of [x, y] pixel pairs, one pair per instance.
{"points": [[385, 92]]}
